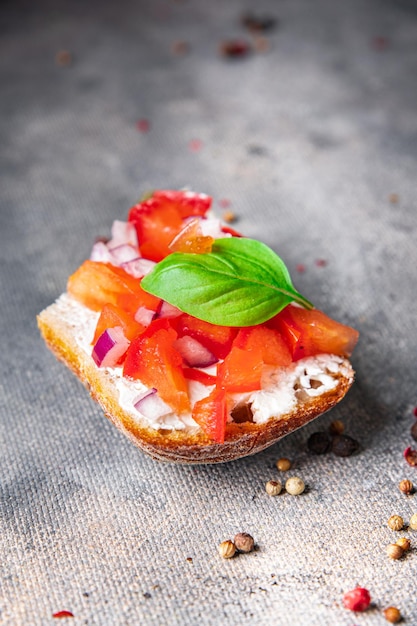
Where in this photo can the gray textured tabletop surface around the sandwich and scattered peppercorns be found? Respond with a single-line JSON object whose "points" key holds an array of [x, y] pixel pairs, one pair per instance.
{"points": [[307, 140]]}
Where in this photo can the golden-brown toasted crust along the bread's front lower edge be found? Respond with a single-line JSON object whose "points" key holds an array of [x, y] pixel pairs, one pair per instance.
{"points": [[177, 446]]}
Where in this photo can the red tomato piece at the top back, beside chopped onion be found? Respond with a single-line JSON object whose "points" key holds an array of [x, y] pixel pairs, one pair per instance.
{"points": [[157, 222]]}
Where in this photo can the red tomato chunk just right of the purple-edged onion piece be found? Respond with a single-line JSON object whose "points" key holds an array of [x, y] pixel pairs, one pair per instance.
{"points": [[152, 359]]}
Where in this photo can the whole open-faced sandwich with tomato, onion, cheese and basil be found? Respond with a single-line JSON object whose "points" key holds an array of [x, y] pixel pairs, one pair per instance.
{"points": [[193, 339]]}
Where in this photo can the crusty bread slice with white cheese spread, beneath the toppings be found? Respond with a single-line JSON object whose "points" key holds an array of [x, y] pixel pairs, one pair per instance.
{"points": [[302, 392]]}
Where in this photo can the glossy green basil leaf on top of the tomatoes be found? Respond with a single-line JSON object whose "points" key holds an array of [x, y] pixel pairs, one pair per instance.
{"points": [[241, 282]]}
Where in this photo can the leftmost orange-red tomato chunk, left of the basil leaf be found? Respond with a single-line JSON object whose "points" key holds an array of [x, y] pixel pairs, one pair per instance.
{"points": [[95, 284]]}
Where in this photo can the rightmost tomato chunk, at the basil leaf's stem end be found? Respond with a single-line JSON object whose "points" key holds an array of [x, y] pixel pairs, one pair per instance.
{"points": [[310, 332]]}
